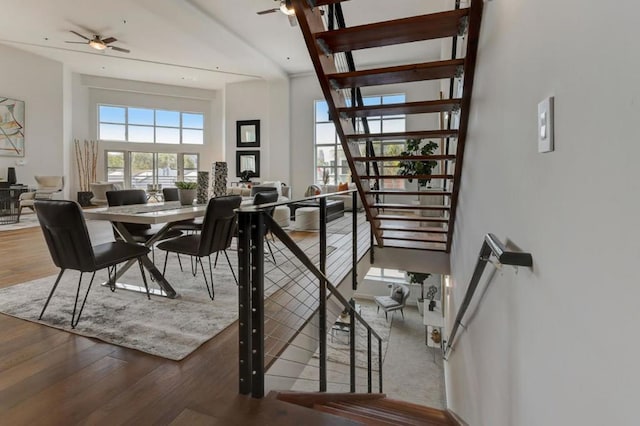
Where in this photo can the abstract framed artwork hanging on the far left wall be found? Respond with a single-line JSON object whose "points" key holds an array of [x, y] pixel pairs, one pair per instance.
{"points": [[11, 127]]}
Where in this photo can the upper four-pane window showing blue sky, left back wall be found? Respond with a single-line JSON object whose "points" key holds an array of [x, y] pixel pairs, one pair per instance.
{"points": [[144, 125]]}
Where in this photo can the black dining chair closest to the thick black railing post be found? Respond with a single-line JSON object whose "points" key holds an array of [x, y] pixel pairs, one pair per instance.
{"points": [[218, 228]]}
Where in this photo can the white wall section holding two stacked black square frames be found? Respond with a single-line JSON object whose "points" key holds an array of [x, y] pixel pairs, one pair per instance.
{"points": [[267, 101]]}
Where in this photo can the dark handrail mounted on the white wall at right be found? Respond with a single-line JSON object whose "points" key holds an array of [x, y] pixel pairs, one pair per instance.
{"points": [[491, 245]]}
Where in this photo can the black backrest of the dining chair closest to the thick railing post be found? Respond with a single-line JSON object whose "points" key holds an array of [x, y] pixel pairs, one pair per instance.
{"points": [[219, 224]]}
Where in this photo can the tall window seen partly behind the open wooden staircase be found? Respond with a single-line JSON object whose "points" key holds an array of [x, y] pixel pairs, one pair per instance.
{"points": [[330, 159]]}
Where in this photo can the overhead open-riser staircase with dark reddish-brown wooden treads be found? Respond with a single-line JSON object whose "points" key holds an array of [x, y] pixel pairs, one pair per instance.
{"points": [[413, 218]]}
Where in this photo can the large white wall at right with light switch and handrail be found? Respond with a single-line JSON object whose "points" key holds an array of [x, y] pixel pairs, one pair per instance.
{"points": [[555, 344]]}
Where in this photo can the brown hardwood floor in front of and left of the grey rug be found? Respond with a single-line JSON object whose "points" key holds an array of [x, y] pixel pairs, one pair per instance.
{"points": [[52, 377]]}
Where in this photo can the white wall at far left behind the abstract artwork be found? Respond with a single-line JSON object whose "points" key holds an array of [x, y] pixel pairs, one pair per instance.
{"points": [[38, 82]]}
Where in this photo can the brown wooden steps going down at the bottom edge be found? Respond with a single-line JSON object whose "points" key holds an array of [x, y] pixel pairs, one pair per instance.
{"points": [[368, 409]]}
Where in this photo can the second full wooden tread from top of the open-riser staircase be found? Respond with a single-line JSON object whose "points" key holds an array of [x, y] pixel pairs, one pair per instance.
{"points": [[397, 74]]}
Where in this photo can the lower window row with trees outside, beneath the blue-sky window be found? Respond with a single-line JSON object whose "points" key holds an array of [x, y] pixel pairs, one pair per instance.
{"points": [[143, 168]]}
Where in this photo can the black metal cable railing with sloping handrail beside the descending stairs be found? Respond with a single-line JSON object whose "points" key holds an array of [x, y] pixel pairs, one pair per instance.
{"points": [[293, 321]]}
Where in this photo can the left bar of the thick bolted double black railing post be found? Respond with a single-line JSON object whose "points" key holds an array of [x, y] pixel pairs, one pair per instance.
{"points": [[244, 302]]}
